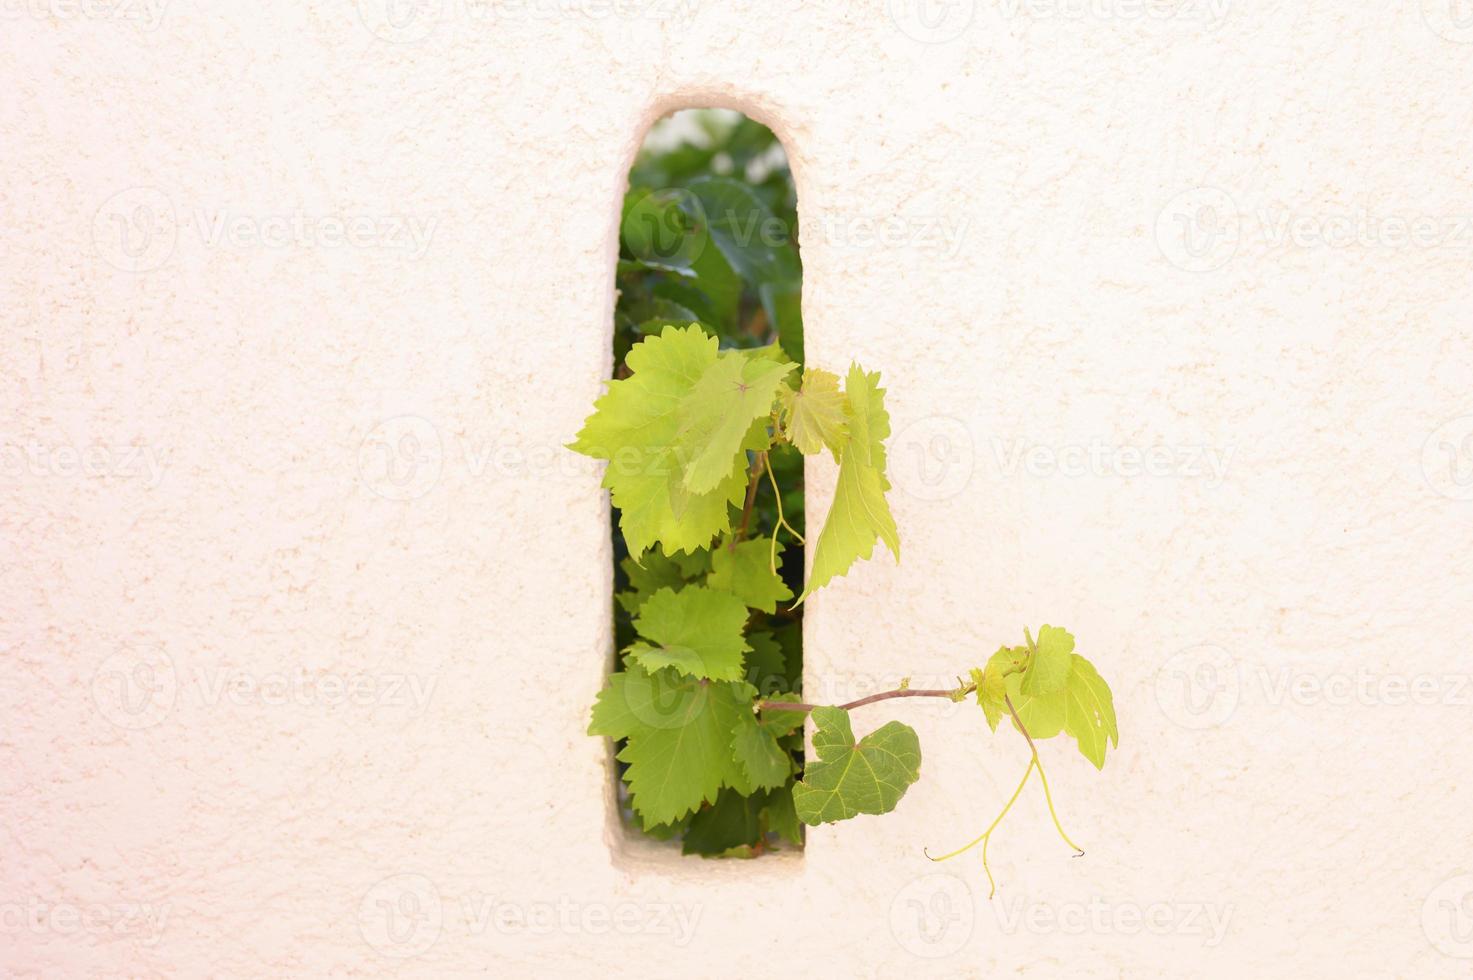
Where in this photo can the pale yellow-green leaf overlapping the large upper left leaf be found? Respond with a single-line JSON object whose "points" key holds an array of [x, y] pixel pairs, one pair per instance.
{"points": [[718, 415]]}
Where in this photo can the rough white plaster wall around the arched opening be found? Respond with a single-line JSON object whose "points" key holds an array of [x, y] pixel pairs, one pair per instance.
{"points": [[303, 606]]}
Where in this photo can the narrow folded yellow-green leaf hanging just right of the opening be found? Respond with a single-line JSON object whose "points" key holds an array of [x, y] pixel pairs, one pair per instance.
{"points": [[859, 515]]}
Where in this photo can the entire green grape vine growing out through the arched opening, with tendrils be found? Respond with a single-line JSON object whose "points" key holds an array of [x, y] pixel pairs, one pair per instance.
{"points": [[705, 431]]}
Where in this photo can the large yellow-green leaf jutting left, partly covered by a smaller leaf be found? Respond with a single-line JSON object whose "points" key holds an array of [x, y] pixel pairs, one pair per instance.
{"points": [[634, 427]]}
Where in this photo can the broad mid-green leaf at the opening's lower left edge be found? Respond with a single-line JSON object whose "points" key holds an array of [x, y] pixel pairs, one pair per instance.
{"points": [[678, 738]]}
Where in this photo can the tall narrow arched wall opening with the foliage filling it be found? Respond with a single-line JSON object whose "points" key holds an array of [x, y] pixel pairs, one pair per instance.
{"points": [[709, 553]]}
